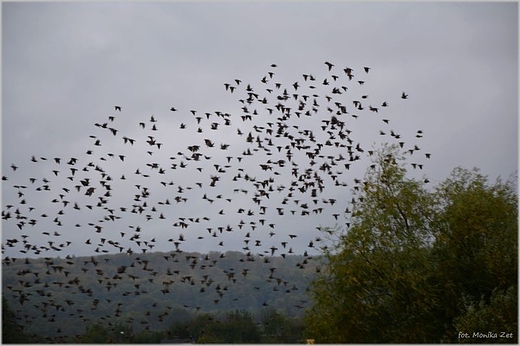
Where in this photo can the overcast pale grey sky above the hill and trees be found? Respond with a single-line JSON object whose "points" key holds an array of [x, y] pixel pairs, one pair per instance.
{"points": [[66, 65]]}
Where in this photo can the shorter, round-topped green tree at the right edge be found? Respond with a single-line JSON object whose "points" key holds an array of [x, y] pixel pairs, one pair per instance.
{"points": [[476, 248]]}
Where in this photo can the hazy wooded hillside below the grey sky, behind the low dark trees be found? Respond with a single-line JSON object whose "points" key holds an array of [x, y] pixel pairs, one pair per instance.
{"points": [[62, 297]]}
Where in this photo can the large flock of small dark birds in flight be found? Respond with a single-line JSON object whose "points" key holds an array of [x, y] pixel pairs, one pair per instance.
{"points": [[190, 176]]}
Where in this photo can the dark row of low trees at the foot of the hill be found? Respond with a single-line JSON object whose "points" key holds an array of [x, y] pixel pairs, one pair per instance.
{"points": [[238, 326]]}
